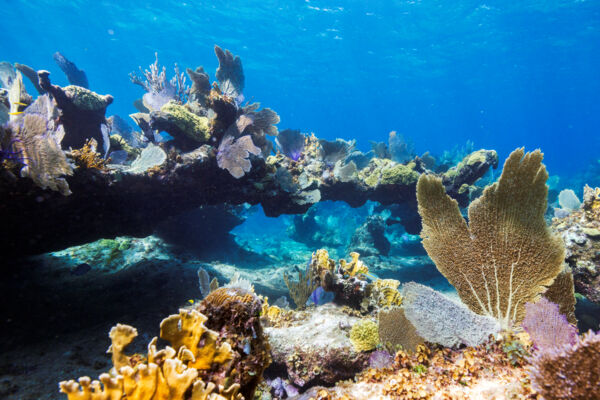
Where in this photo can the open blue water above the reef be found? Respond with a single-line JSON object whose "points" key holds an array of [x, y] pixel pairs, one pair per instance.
{"points": [[503, 74]]}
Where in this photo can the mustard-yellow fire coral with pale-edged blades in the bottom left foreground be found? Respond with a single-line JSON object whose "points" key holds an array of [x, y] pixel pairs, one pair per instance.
{"points": [[168, 374]]}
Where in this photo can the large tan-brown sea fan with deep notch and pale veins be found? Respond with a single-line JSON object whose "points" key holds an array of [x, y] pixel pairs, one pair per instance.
{"points": [[506, 256]]}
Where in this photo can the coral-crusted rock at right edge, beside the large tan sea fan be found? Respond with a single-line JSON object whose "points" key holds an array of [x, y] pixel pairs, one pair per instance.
{"points": [[580, 231]]}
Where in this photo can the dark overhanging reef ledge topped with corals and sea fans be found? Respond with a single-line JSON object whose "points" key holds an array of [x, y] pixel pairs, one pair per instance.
{"points": [[206, 125]]}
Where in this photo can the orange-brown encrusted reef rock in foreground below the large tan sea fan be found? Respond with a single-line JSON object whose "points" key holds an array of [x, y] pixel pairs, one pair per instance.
{"points": [[482, 372]]}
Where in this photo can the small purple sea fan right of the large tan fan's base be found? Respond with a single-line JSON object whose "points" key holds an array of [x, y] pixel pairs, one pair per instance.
{"points": [[547, 327]]}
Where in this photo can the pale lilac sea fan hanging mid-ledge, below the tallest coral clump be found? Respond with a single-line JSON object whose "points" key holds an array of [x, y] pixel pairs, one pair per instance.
{"points": [[233, 155]]}
